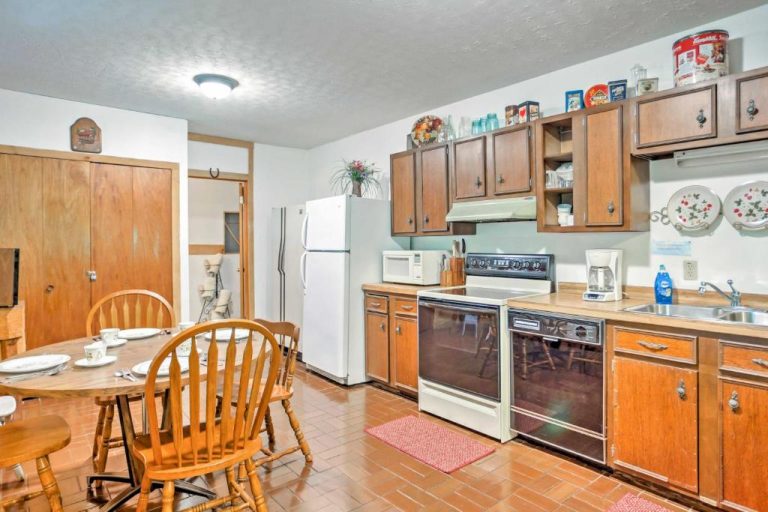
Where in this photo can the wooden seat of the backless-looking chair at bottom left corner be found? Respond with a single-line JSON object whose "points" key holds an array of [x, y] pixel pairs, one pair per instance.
{"points": [[28, 439]]}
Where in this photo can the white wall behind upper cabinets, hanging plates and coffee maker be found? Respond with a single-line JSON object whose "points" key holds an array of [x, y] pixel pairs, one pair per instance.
{"points": [[721, 253]]}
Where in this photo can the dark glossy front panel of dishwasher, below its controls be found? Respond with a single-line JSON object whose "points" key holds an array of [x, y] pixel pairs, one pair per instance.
{"points": [[559, 379]]}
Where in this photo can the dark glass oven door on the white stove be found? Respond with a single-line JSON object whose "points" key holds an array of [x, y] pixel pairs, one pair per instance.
{"points": [[459, 346]]}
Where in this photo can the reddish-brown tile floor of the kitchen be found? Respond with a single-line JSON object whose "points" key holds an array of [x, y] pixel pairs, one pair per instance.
{"points": [[352, 471]]}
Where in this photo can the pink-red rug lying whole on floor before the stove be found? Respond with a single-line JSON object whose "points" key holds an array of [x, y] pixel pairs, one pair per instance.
{"points": [[430, 443]]}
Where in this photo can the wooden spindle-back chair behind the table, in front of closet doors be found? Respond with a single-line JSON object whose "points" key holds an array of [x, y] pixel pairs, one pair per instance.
{"points": [[125, 309]]}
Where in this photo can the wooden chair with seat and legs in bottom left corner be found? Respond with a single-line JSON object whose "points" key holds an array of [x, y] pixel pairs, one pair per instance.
{"points": [[34, 438]]}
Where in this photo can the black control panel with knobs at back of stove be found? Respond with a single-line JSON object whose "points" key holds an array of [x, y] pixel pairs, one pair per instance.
{"points": [[521, 266]]}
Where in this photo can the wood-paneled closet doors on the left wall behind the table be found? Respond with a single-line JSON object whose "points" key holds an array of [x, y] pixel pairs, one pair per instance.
{"points": [[84, 230]]}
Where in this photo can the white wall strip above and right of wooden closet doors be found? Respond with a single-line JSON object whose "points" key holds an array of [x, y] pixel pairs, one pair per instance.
{"points": [[40, 122]]}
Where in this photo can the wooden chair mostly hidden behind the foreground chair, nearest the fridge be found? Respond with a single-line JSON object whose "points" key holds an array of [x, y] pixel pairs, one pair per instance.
{"points": [[288, 338]]}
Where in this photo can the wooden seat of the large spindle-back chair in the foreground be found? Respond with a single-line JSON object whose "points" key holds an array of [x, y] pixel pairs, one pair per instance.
{"points": [[170, 470]]}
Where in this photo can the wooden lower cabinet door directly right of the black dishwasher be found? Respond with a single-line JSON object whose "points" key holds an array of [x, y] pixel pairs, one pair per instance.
{"points": [[656, 421]]}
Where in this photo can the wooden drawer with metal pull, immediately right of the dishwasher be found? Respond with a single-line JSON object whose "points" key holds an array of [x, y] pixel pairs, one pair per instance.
{"points": [[654, 344]]}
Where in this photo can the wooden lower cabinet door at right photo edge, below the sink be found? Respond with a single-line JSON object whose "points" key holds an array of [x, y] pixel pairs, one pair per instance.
{"points": [[744, 446]]}
